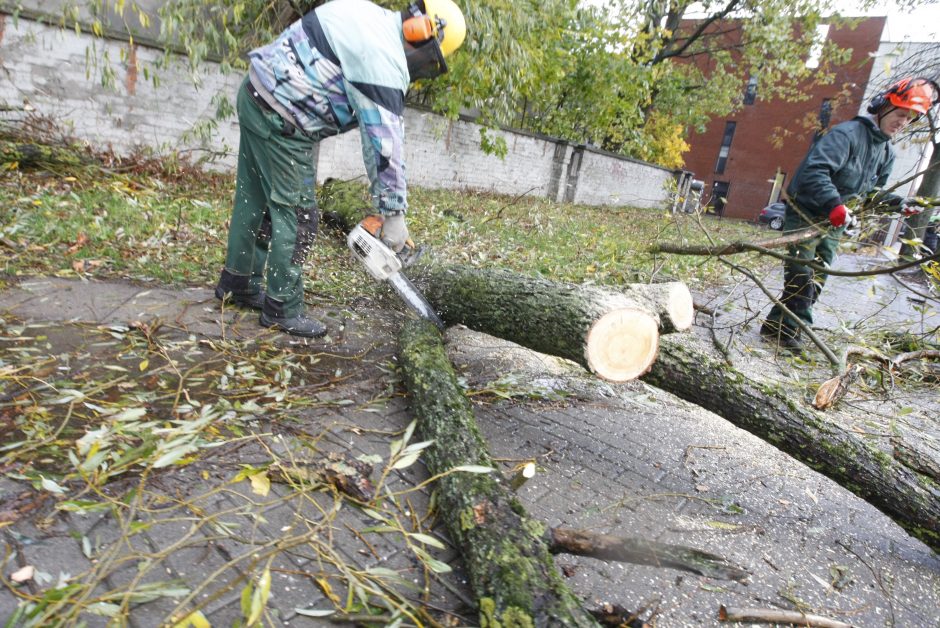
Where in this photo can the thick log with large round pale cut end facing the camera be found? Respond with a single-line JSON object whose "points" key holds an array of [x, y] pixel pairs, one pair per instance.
{"points": [[612, 335]]}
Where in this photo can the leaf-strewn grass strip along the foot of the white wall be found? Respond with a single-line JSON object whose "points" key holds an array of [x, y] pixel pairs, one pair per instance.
{"points": [[174, 230]]}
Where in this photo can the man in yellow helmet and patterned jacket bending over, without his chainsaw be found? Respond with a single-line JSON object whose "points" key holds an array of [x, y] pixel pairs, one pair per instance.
{"points": [[348, 63]]}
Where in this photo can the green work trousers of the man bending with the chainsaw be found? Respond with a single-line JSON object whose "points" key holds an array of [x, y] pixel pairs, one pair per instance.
{"points": [[275, 217]]}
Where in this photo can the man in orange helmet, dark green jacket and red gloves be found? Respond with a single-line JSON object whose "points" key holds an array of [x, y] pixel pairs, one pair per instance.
{"points": [[852, 160]]}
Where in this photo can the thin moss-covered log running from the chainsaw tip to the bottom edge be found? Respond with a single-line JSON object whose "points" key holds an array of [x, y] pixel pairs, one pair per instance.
{"points": [[512, 573]]}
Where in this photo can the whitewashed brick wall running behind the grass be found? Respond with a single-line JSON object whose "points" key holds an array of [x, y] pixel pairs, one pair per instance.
{"points": [[60, 74]]}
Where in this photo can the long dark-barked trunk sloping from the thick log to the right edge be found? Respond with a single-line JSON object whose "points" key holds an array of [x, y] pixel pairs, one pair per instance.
{"points": [[906, 495]]}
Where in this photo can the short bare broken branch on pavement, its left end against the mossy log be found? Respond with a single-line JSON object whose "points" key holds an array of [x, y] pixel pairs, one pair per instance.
{"points": [[642, 552]]}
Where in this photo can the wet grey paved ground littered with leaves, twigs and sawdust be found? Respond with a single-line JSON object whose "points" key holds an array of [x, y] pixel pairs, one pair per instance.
{"points": [[621, 459]]}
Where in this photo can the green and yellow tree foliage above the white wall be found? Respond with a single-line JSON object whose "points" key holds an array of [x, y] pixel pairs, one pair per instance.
{"points": [[629, 76]]}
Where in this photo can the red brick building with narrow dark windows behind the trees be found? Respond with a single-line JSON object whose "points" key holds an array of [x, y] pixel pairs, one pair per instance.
{"points": [[741, 167]]}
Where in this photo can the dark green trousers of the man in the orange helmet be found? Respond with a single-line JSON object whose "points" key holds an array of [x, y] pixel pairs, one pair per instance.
{"points": [[801, 284]]}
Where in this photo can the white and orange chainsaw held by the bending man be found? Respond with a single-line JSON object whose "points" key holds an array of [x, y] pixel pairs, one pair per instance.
{"points": [[385, 265]]}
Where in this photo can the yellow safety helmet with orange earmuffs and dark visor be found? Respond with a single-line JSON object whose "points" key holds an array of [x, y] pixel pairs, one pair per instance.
{"points": [[433, 29]]}
